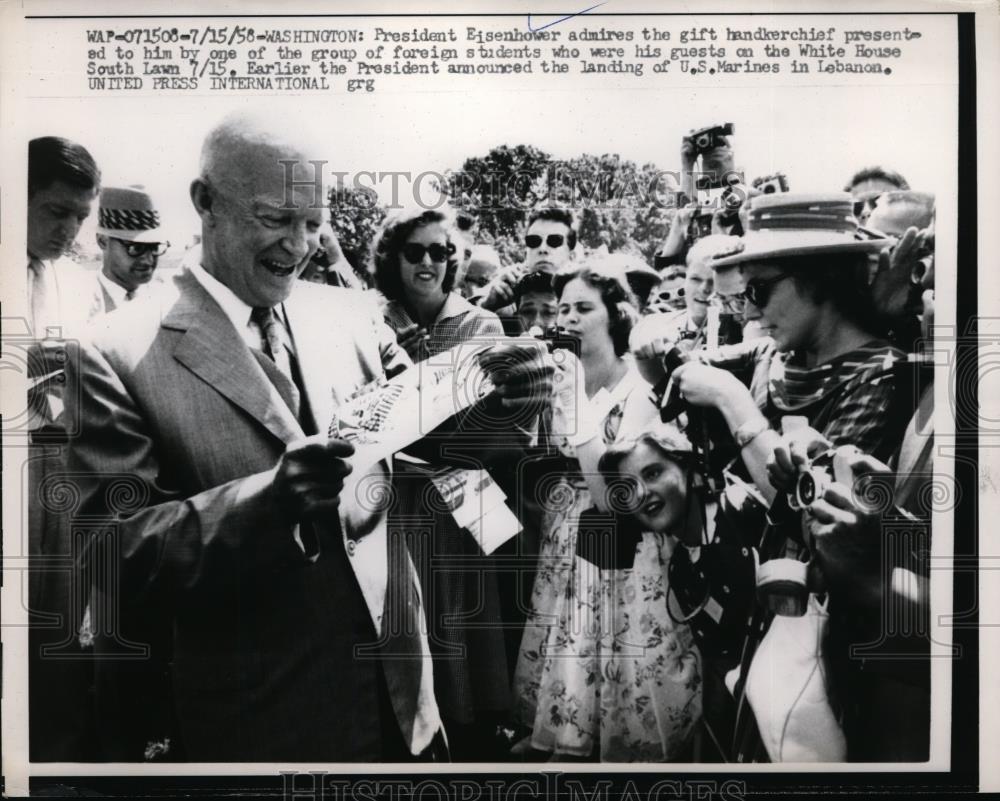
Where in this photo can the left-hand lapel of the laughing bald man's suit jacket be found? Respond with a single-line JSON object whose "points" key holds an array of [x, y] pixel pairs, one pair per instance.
{"points": [[213, 350]]}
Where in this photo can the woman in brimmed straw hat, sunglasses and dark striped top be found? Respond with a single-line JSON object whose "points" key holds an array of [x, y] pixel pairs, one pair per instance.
{"points": [[823, 356]]}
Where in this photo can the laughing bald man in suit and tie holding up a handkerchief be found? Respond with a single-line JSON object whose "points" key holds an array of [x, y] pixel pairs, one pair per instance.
{"points": [[295, 616]]}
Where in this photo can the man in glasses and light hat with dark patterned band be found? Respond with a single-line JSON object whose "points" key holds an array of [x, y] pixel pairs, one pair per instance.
{"points": [[131, 242]]}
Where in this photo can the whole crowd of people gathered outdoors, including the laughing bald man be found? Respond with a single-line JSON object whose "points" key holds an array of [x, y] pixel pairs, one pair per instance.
{"points": [[698, 571]]}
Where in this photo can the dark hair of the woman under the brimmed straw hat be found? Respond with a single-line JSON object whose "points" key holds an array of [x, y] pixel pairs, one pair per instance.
{"points": [[841, 279]]}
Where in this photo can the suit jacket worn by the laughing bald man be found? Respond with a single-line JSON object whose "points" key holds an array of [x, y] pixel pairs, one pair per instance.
{"points": [[179, 430]]}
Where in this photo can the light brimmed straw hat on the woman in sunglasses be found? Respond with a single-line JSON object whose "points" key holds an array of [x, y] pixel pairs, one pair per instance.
{"points": [[784, 225]]}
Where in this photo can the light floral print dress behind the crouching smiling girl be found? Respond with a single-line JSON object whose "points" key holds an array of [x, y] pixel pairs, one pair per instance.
{"points": [[603, 670]]}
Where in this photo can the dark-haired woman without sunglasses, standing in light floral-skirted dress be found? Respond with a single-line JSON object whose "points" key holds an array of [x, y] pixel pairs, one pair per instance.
{"points": [[570, 692]]}
